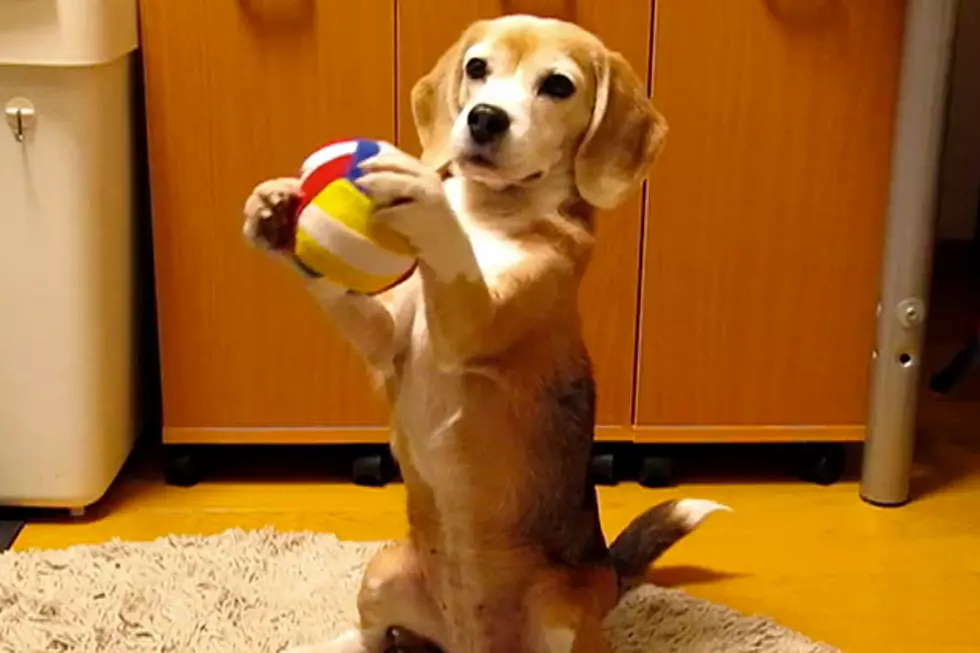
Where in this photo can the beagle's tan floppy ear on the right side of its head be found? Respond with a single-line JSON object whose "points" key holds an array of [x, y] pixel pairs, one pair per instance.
{"points": [[623, 139]]}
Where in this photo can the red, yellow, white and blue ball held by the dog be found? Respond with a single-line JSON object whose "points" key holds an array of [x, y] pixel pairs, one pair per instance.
{"points": [[336, 236]]}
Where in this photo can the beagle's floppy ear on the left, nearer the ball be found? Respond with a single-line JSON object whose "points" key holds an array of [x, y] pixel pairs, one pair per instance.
{"points": [[436, 103]]}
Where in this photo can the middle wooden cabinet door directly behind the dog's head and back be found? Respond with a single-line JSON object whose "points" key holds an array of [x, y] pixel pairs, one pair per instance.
{"points": [[609, 296]]}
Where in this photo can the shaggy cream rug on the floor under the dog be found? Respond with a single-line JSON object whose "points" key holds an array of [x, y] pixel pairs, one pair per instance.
{"points": [[260, 592]]}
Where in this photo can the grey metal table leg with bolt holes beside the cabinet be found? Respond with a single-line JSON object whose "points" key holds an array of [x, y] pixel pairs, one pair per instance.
{"points": [[908, 250]]}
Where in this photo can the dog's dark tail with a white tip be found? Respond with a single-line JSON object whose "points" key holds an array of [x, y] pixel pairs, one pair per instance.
{"points": [[647, 537]]}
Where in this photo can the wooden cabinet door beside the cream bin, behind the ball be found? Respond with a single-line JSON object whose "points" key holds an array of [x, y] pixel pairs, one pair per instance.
{"points": [[239, 91]]}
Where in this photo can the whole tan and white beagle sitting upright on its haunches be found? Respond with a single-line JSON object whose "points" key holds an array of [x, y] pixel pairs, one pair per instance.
{"points": [[480, 352]]}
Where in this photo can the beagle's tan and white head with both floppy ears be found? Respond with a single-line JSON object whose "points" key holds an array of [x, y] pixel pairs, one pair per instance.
{"points": [[520, 98]]}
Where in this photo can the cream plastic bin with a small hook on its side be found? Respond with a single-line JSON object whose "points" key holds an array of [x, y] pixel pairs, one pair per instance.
{"points": [[66, 231]]}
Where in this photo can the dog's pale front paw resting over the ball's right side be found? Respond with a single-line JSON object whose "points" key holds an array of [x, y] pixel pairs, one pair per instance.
{"points": [[408, 196]]}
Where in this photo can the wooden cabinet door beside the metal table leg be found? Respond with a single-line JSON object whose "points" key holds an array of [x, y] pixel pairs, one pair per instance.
{"points": [[765, 217]]}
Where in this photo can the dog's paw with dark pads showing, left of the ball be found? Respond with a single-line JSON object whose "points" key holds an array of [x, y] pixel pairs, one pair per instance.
{"points": [[270, 214]]}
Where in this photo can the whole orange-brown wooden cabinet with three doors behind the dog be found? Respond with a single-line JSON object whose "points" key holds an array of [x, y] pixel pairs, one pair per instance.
{"points": [[732, 301]]}
